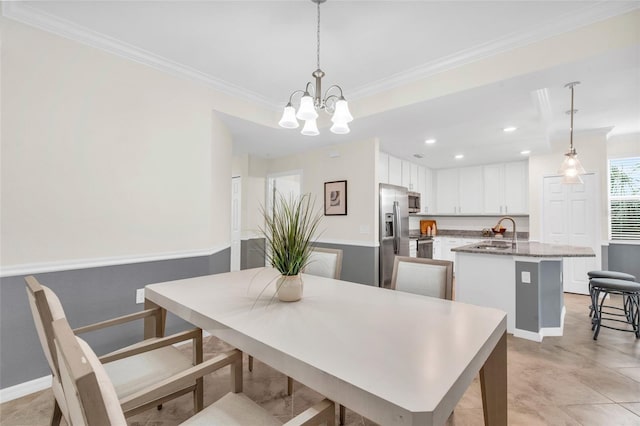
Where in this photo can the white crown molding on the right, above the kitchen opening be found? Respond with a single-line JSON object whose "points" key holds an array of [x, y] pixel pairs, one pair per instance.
{"points": [[562, 24]]}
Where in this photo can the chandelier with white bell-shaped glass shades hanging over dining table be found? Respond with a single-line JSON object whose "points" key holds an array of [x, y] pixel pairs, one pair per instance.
{"points": [[312, 101]]}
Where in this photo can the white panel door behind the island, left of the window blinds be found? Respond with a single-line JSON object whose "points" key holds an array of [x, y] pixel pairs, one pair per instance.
{"points": [[570, 216]]}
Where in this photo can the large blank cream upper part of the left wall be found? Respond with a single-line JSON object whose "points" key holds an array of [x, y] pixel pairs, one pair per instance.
{"points": [[103, 157]]}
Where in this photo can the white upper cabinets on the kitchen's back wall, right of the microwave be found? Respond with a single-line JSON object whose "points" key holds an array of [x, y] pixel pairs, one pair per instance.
{"points": [[495, 189]]}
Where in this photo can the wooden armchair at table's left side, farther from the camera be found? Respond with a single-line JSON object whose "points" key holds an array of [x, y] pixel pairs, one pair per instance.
{"points": [[130, 369]]}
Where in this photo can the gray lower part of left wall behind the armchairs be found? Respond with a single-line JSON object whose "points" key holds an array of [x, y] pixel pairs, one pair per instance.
{"points": [[87, 295]]}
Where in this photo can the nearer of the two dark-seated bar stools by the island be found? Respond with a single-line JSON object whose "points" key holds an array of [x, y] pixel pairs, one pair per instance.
{"points": [[631, 294]]}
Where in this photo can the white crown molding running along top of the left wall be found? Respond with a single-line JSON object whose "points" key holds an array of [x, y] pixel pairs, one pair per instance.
{"points": [[21, 12]]}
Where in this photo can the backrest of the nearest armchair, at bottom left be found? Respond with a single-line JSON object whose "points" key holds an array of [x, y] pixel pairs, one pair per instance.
{"points": [[89, 393]]}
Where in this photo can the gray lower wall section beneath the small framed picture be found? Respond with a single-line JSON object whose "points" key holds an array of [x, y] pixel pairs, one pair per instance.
{"points": [[359, 263]]}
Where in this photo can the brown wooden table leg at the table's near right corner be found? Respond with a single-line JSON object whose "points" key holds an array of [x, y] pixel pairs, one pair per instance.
{"points": [[493, 382]]}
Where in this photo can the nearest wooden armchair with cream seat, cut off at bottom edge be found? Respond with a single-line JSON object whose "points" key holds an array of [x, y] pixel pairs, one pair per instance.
{"points": [[92, 398]]}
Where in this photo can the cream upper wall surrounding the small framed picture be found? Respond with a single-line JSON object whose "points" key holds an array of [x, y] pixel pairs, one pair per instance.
{"points": [[356, 164]]}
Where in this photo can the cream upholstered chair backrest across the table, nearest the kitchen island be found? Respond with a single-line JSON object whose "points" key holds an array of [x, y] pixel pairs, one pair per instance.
{"points": [[423, 276]]}
